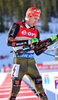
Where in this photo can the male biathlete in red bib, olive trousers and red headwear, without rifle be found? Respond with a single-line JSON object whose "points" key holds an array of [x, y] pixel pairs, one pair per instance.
{"points": [[24, 33]]}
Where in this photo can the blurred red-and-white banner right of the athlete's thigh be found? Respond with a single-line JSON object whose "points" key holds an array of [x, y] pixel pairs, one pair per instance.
{"points": [[47, 67]]}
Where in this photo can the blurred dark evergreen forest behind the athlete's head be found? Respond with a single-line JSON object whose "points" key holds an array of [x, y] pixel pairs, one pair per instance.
{"points": [[12, 11]]}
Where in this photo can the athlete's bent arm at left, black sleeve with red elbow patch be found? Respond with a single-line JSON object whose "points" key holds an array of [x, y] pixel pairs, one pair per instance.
{"points": [[11, 41]]}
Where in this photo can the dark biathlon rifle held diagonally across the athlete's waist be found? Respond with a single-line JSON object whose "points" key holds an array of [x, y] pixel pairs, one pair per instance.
{"points": [[42, 45]]}
